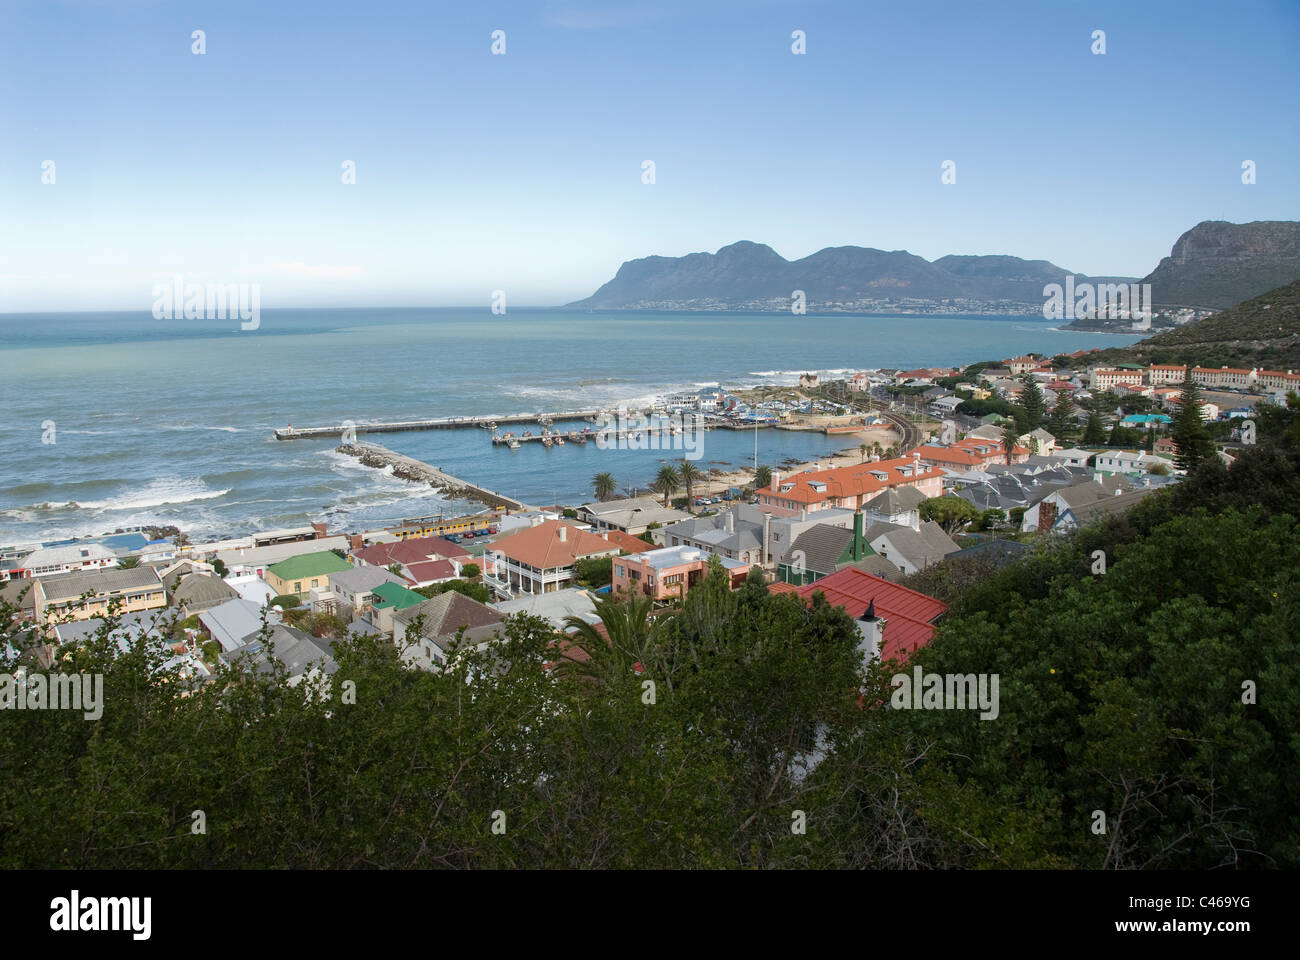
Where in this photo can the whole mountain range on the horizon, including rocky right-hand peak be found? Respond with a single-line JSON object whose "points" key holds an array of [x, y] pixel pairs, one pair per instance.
{"points": [[1215, 265]]}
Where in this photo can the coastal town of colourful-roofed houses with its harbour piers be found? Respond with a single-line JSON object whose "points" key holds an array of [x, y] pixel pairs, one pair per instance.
{"points": [[939, 466]]}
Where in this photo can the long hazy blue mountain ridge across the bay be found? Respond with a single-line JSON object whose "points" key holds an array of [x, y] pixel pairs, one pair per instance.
{"points": [[753, 276]]}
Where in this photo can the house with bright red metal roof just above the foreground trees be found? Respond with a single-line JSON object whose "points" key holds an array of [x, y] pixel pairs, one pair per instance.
{"points": [[894, 621]]}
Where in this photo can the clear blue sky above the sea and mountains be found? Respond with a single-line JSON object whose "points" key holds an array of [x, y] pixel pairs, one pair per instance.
{"points": [[525, 171]]}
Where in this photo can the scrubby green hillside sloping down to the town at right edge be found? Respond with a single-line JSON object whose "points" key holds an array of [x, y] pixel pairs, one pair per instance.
{"points": [[1262, 332]]}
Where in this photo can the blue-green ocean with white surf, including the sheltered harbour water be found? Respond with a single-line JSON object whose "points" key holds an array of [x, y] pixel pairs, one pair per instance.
{"points": [[119, 420]]}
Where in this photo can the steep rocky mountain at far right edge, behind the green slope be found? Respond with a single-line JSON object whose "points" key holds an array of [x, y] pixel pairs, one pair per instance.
{"points": [[1217, 265]]}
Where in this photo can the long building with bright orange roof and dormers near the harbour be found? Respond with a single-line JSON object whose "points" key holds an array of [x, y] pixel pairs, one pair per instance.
{"points": [[850, 487]]}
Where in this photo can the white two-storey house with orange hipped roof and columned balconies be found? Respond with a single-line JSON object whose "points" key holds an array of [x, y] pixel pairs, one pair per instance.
{"points": [[541, 559]]}
